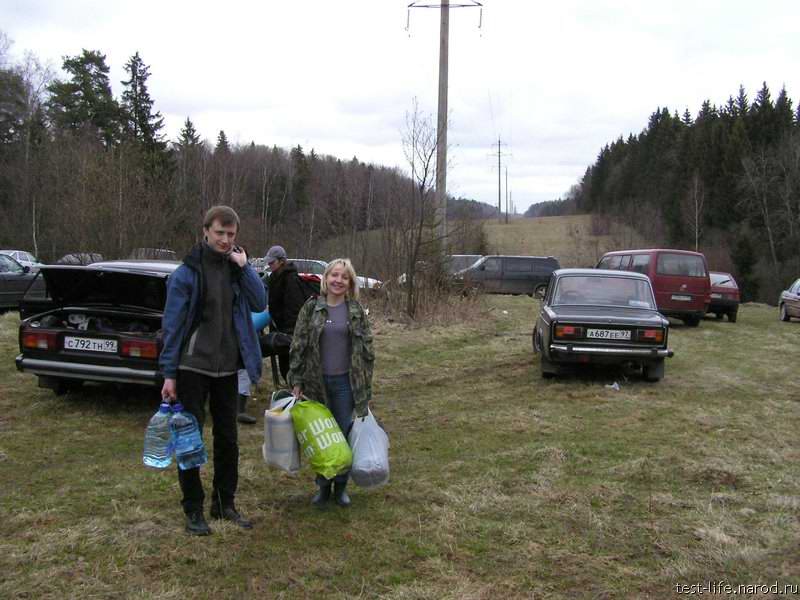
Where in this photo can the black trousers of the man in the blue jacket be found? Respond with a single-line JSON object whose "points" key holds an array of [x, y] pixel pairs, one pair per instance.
{"points": [[222, 392]]}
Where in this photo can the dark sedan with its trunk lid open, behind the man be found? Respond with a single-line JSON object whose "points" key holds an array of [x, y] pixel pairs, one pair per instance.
{"points": [[100, 322]]}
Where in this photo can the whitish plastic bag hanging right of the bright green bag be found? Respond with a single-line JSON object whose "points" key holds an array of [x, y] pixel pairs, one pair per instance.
{"points": [[370, 446]]}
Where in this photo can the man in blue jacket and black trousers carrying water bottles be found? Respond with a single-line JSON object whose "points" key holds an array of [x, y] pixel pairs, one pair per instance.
{"points": [[208, 337]]}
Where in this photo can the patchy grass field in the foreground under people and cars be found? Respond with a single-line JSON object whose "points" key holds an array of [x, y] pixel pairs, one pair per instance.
{"points": [[502, 485]]}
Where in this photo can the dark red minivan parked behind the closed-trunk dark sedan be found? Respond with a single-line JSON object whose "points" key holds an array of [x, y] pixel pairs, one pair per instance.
{"points": [[679, 277]]}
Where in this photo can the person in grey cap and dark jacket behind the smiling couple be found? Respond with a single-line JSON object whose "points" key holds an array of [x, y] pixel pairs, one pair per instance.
{"points": [[286, 296]]}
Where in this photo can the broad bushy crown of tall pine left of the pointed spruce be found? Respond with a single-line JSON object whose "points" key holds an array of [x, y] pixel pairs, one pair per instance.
{"points": [[85, 100]]}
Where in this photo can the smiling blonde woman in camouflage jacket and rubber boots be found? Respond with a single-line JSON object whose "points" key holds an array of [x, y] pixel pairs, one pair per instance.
{"points": [[332, 359]]}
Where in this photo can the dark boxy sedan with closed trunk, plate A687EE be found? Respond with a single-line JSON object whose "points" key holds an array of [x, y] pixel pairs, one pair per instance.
{"points": [[595, 316]]}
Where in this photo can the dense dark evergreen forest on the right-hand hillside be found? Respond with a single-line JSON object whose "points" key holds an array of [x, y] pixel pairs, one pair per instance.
{"points": [[726, 181]]}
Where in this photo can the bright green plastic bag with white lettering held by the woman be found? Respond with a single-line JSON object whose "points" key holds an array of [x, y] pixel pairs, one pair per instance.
{"points": [[321, 441]]}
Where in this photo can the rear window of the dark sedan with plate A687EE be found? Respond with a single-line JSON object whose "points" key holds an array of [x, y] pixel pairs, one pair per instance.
{"points": [[603, 291]]}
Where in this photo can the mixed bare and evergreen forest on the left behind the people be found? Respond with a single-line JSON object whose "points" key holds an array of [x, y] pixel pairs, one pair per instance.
{"points": [[83, 170]]}
